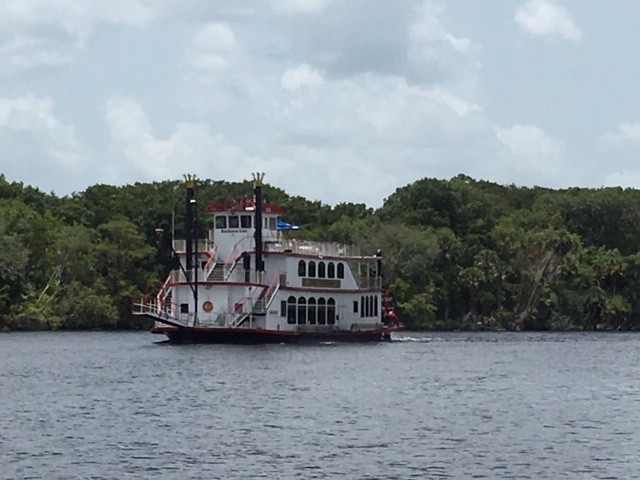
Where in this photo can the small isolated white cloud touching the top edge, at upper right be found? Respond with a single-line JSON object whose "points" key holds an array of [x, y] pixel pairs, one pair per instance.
{"points": [[546, 19]]}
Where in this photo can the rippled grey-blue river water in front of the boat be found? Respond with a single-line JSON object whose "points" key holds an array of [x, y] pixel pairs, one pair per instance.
{"points": [[454, 405]]}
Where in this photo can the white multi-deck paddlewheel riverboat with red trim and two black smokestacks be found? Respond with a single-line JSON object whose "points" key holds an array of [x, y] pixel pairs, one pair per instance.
{"points": [[248, 282]]}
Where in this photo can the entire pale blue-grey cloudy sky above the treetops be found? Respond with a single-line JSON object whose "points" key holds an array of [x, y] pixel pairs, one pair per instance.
{"points": [[337, 101]]}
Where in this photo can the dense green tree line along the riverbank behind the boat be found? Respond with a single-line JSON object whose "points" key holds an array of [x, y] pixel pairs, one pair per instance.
{"points": [[459, 253]]}
